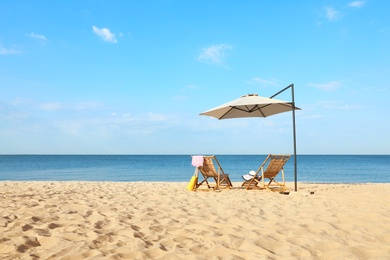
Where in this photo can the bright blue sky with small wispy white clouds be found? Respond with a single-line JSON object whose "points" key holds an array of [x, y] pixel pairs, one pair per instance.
{"points": [[131, 77]]}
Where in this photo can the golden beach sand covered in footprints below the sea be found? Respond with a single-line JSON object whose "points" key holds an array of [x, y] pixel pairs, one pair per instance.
{"points": [[140, 220]]}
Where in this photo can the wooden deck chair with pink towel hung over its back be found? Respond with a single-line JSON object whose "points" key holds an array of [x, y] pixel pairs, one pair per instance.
{"points": [[216, 175]]}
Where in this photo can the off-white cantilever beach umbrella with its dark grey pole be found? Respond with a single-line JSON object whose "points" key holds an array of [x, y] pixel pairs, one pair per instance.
{"points": [[252, 105]]}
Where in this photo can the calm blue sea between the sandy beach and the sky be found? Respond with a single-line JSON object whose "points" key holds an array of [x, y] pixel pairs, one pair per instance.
{"points": [[311, 168]]}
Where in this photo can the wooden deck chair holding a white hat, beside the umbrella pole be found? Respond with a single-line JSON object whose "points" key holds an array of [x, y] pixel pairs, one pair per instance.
{"points": [[274, 164]]}
